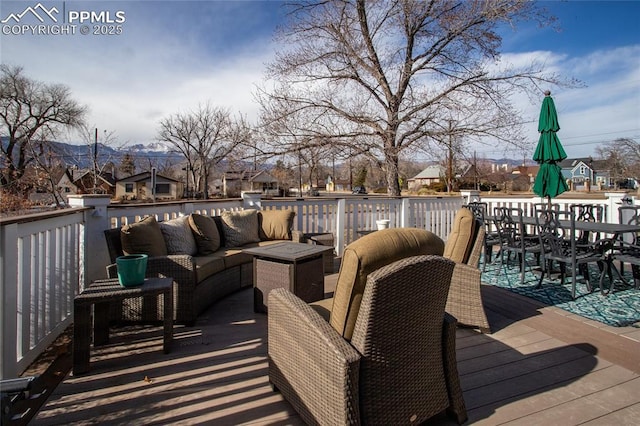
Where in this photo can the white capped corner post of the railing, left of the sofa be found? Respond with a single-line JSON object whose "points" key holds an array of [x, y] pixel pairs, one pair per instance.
{"points": [[93, 246]]}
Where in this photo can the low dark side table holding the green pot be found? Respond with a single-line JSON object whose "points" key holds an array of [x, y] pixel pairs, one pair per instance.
{"points": [[101, 294]]}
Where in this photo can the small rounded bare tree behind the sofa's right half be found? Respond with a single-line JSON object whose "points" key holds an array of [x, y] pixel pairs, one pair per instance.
{"points": [[205, 136]]}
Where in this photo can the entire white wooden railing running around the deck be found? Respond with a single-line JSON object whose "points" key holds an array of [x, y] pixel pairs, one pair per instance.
{"points": [[46, 259]]}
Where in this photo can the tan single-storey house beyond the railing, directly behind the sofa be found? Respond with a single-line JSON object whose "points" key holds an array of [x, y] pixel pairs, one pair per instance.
{"points": [[138, 187]]}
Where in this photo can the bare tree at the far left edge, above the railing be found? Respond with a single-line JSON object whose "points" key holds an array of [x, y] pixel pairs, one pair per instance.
{"points": [[31, 114]]}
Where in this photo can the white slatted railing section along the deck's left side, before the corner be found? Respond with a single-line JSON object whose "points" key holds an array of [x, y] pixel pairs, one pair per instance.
{"points": [[40, 274]]}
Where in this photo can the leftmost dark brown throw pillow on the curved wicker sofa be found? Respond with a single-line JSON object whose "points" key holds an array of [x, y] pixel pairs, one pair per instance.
{"points": [[143, 237]]}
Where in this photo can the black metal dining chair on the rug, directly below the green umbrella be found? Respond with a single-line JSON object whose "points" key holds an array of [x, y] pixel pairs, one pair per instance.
{"points": [[560, 245]]}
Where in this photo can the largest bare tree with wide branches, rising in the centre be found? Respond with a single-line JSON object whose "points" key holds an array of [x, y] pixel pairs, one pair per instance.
{"points": [[396, 72]]}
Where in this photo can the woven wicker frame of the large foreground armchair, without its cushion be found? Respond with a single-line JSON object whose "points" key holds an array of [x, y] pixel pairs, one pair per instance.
{"points": [[399, 365]]}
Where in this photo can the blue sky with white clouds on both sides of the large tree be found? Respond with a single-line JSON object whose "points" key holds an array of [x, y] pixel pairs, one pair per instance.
{"points": [[173, 55]]}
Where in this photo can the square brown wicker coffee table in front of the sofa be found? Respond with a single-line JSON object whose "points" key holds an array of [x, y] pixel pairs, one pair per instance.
{"points": [[296, 266]]}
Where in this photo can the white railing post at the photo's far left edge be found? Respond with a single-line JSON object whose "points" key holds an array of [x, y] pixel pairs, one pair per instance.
{"points": [[8, 300]]}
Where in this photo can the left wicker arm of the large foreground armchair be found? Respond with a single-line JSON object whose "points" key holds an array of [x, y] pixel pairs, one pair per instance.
{"points": [[310, 363]]}
